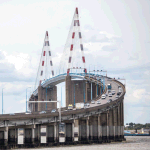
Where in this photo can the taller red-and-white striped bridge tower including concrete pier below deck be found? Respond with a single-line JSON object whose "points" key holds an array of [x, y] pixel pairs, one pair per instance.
{"points": [[76, 90]]}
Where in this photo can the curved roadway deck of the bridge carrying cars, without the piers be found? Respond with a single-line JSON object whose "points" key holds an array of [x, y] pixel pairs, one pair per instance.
{"points": [[104, 106]]}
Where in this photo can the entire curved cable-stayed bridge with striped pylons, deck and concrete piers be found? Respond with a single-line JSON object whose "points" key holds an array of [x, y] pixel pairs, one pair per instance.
{"points": [[102, 121]]}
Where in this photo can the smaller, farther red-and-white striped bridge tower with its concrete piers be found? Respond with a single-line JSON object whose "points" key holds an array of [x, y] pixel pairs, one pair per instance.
{"points": [[45, 71]]}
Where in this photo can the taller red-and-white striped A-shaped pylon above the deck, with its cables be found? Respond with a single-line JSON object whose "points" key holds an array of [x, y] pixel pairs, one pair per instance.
{"points": [[75, 46]]}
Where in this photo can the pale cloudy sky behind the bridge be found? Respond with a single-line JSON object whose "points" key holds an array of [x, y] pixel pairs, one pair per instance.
{"points": [[115, 36]]}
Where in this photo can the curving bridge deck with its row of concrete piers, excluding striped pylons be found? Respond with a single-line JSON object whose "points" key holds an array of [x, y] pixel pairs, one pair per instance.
{"points": [[98, 123]]}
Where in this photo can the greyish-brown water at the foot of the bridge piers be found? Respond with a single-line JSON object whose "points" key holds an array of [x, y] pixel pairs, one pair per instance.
{"points": [[131, 143]]}
